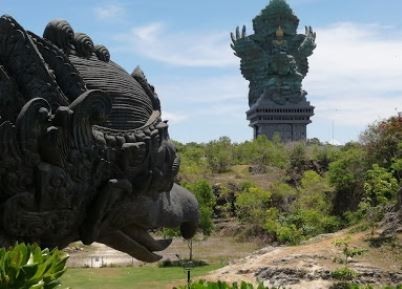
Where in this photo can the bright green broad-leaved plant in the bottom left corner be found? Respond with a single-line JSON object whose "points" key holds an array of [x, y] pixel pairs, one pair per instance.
{"points": [[28, 267]]}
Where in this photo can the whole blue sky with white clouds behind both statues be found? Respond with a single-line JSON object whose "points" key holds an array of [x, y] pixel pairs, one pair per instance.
{"points": [[355, 73]]}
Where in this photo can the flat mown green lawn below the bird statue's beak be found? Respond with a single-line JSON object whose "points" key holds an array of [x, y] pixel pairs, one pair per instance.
{"points": [[148, 276]]}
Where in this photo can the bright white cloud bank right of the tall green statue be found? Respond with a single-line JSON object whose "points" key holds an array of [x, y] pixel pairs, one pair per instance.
{"points": [[356, 73]]}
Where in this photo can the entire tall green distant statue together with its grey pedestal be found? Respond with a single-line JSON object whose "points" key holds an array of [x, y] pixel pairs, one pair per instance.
{"points": [[274, 60]]}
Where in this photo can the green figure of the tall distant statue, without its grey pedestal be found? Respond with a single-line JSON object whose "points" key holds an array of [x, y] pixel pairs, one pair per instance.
{"points": [[274, 58]]}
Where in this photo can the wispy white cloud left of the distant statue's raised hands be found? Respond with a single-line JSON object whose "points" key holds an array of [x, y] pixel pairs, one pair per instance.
{"points": [[195, 49]]}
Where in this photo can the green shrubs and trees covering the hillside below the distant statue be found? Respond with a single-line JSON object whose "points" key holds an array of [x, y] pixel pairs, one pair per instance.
{"points": [[286, 193]]}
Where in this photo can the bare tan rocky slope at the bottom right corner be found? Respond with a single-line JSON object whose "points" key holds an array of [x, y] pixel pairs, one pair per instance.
{"points": [[310, 265]]}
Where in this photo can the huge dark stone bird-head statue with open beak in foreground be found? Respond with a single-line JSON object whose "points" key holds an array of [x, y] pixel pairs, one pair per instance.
{"points": [[84, 154]]}
